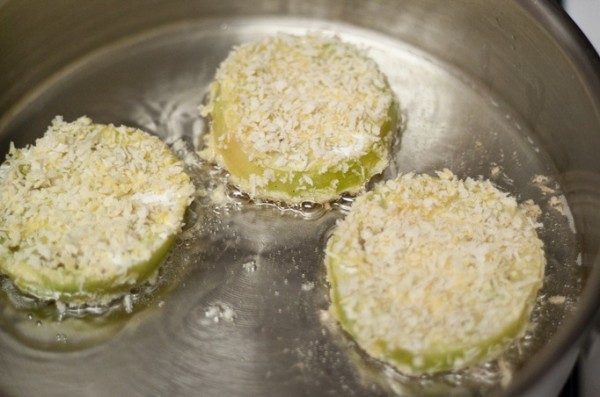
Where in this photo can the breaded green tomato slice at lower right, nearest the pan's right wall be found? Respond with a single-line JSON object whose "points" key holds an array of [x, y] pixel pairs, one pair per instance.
{"points": [[434, 273]]}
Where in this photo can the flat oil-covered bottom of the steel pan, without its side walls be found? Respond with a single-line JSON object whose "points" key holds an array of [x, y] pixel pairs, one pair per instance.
{"points": [[244, 306]]}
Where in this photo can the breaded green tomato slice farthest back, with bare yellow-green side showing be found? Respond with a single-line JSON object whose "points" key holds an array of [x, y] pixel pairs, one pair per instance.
{"points": [[300, 118]]}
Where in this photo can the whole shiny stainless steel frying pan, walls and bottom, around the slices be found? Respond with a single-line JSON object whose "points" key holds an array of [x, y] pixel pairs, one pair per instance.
{"points": [[503, 90]]}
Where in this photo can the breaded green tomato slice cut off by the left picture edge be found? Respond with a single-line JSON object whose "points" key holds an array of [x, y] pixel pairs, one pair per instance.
{"points": [[89, 211]]}
